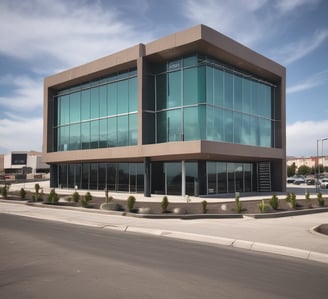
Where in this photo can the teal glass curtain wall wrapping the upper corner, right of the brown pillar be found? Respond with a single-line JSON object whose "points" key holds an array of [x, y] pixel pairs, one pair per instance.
{"points": [[197, 98]]}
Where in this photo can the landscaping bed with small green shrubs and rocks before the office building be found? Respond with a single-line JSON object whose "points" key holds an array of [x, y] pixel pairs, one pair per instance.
{"points": [[248, 207]]}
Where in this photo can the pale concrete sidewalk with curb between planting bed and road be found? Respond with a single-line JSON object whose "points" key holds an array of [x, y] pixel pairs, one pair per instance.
{"points": [[291, 236]]}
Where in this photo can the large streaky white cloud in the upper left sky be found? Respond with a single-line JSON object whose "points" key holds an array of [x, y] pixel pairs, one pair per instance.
{"points": [[71, 32]]}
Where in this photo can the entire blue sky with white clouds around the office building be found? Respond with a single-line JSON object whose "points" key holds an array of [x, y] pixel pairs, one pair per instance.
{"points": [[42, 37]]}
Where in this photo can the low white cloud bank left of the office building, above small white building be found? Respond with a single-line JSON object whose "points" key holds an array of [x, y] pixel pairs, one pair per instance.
{"points": [[21, 134]]}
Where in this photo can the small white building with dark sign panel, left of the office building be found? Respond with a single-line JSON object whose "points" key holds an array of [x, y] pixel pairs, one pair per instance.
{"points": [[24, 163]]}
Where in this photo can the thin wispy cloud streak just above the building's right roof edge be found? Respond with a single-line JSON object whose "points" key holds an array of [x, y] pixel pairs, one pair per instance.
{"points": [[296, 50]]}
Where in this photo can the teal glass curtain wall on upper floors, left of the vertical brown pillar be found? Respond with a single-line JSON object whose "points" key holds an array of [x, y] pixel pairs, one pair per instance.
{"points": [[99, 114]]}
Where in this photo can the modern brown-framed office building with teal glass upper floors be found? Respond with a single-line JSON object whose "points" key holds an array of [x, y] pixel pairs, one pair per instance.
{"points": [[193, 113]]}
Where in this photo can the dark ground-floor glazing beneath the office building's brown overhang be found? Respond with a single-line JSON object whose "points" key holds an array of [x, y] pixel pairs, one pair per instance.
{"points": [[192, 178]]}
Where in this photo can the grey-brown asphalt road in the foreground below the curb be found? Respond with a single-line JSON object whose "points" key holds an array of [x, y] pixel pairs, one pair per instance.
{"points": [[44, 259]]}
